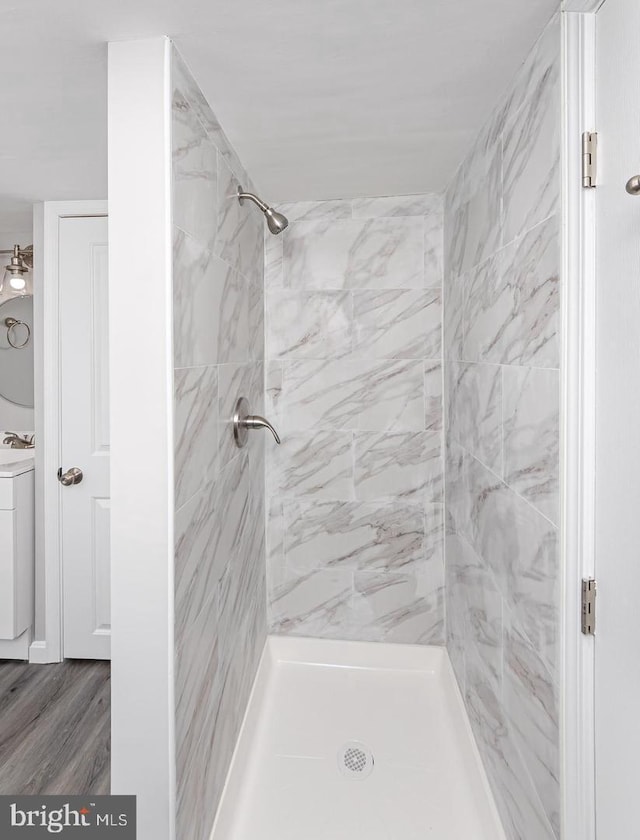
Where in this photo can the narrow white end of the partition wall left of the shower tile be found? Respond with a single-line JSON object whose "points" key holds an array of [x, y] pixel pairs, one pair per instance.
{"points": [[141, 362]]}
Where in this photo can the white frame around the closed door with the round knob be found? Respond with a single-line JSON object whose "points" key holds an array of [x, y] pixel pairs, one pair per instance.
{"points": [[47, 218]]}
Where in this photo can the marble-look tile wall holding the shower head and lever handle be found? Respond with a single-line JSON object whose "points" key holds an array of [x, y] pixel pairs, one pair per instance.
{"points": [[218, 332]]}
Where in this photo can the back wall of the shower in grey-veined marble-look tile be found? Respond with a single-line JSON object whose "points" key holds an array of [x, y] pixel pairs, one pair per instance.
{"points": [[354, 384]]}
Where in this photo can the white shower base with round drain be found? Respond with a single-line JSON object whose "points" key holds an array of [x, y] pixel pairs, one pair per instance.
{"points": [[401, 704]]}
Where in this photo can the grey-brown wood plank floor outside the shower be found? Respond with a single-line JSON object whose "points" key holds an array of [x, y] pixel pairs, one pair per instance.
{"points": [[55, 728]]}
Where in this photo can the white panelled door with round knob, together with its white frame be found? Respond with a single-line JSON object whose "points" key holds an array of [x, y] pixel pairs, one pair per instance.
{"points": [[72, 427]]}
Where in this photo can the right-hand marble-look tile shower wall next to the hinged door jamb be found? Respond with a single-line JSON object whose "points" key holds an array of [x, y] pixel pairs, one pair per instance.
{"points": [[501, 361]]}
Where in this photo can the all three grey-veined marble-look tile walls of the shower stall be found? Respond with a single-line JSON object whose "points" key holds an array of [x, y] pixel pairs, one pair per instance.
{"points": [[406, 349]]}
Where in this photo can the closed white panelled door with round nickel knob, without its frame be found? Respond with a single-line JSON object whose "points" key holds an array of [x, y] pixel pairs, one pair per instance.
{"points": [[84, 396]]}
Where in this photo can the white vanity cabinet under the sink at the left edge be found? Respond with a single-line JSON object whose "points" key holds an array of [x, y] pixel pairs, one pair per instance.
{"points": [[17, 545]]}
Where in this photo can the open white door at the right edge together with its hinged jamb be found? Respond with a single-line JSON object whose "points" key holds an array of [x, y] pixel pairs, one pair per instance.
{"points": [[601, 412]]}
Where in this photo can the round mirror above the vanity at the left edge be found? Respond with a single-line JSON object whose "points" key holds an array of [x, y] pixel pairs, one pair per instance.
{"points": [[16, 350]]}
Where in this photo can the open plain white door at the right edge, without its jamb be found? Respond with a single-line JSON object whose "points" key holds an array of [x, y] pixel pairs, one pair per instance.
{"points": [[617, 701]]}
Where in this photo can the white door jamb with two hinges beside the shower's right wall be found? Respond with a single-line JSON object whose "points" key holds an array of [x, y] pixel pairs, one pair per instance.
{"points": [[578, 401]]}
